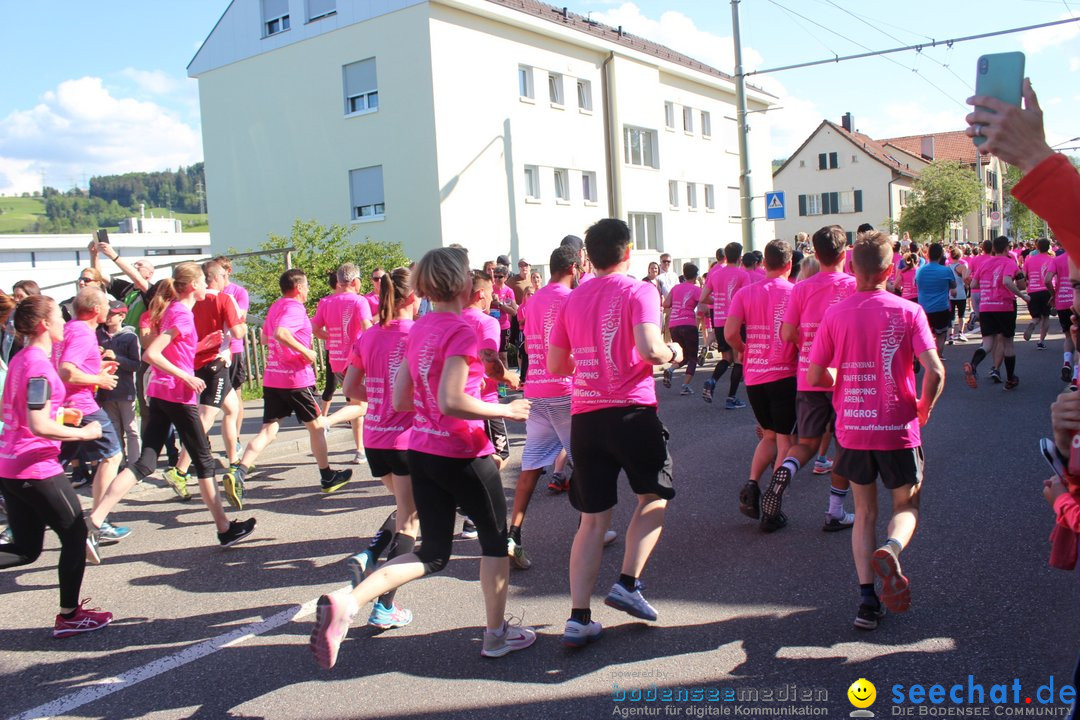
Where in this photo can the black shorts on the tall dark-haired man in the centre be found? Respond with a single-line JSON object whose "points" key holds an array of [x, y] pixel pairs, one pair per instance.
{"points": [[613, 440]]}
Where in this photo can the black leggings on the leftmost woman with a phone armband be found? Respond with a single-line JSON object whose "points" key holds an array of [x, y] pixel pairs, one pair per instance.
{"points": [[34, 506]]}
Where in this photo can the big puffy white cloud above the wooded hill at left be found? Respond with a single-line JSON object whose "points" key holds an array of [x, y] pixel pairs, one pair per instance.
{"points": [[82, 129]]}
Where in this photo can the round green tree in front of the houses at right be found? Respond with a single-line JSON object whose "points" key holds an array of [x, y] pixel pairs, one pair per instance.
{"points": [[946, 193]]}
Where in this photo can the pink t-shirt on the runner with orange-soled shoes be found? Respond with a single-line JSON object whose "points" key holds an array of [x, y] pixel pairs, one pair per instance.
{"points": [[872, 339]]}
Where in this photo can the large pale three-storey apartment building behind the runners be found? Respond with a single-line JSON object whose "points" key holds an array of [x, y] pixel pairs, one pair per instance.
{"points": [[499, 125]]}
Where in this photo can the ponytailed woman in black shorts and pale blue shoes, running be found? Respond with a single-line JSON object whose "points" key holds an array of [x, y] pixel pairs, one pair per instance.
{"points": [[373, 364]]}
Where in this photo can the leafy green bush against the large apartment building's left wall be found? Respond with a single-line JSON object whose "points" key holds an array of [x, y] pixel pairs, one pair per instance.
{"points": [[319, 252]]}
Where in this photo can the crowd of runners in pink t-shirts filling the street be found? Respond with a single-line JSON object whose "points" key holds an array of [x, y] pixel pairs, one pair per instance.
{"points": [[836, 342]]}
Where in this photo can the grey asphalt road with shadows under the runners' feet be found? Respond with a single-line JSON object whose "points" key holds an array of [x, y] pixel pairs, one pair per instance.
{"points": [[206, 633]]}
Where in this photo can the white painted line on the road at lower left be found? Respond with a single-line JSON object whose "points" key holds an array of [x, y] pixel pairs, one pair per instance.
{"points": [[192, 654]]}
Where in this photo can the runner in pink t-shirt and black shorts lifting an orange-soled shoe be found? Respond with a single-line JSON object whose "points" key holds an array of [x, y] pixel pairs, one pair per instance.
{"points": [[865, 350]]}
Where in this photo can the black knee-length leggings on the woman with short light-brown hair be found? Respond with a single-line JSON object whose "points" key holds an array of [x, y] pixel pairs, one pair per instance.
{"points": [[442, 485]]}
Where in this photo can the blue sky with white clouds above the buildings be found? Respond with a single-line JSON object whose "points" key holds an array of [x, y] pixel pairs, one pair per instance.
{"points": [[101, 87]]}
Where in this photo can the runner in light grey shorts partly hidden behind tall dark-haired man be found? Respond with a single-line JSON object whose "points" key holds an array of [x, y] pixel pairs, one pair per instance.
{"points": [[548, 429]]}
